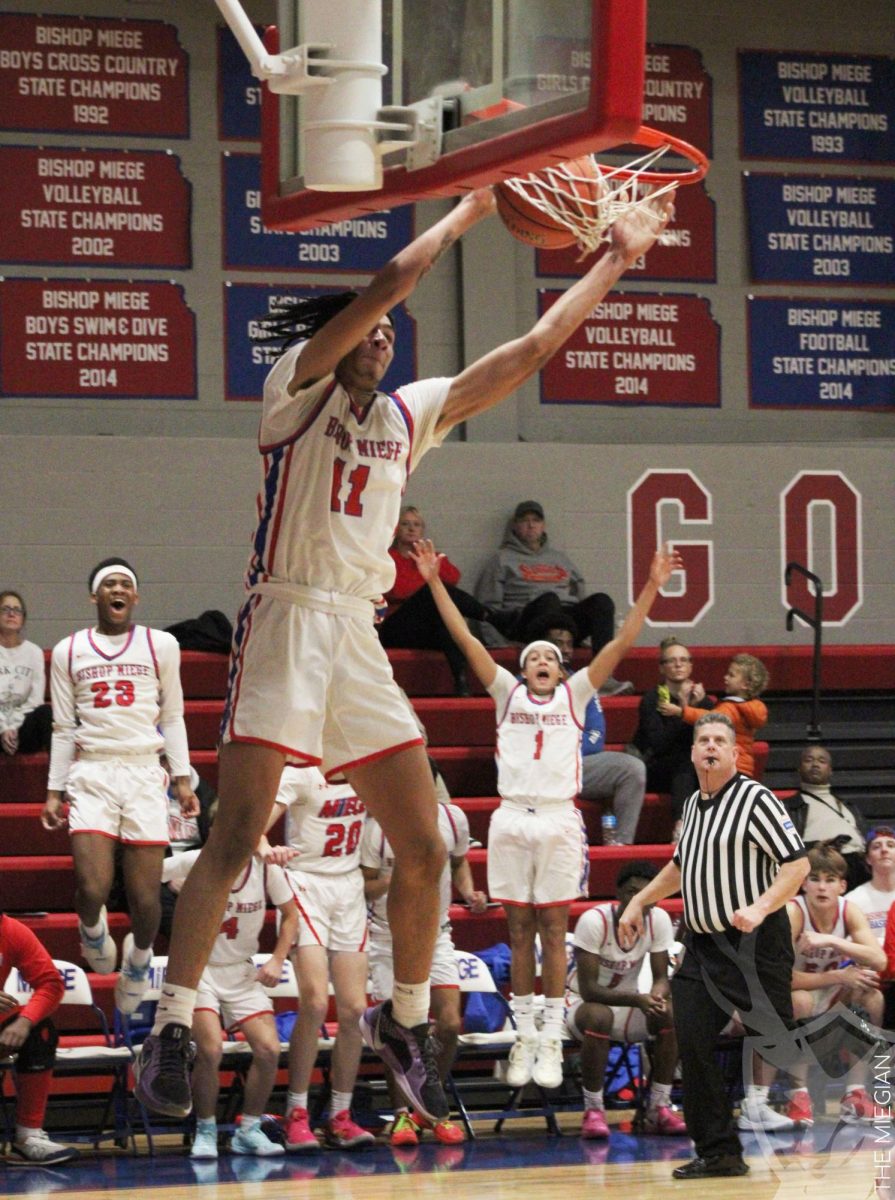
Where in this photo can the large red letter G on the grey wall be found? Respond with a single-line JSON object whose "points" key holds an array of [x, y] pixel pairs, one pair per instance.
{"points": [[692, 593]]}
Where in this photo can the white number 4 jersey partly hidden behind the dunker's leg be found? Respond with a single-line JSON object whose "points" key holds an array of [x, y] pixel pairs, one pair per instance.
{"points": [[247, 904]]}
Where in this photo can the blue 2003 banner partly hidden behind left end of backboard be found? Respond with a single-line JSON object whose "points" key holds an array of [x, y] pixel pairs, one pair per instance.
{"points": [[357, 244]]}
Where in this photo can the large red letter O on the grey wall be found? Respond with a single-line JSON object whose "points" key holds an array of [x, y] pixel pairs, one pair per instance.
{"points": [[824, 503]]}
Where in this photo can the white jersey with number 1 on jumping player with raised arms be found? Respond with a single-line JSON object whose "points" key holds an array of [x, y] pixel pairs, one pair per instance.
{"points": [[539, 739]]}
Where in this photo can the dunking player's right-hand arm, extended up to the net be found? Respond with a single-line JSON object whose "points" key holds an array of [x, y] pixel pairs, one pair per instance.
{"points": [[496, 375]]}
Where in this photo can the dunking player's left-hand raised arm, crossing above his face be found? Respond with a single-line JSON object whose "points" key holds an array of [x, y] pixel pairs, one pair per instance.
{"points": [[389, 286]]}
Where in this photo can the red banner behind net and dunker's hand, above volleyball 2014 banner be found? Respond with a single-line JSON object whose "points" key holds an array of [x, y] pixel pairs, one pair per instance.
{"points": [[686, 250]]}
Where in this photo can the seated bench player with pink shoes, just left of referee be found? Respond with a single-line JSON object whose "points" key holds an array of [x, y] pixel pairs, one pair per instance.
{"points": [[605, 1003]]}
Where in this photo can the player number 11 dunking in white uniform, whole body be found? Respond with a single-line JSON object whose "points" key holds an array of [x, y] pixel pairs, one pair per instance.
{"points": [[310, 683]]}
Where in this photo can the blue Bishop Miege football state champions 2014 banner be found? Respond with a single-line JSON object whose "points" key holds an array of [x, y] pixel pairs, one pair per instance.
{"points": [[821, 355]]}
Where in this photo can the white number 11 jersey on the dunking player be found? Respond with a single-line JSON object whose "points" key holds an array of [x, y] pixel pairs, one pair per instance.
{"points": [[334, 479]]}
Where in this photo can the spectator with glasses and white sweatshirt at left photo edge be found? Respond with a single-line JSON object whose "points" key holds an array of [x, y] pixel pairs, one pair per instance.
{"points": [[26, 722]]}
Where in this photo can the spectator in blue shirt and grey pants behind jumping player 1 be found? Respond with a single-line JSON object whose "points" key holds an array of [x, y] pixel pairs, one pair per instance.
{"points": [[606, 776]]}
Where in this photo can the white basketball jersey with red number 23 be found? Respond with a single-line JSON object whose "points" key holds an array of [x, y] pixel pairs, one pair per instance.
{"points": [[117, 689]]}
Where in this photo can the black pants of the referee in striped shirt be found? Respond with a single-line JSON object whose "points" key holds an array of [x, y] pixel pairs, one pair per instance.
{"points": [[723, 974]]}
